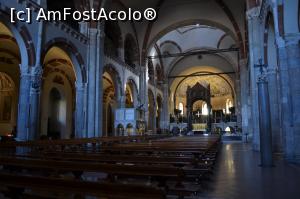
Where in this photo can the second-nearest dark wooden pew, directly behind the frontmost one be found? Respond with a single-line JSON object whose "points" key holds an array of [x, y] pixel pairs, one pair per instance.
{"points": [[161, 174]]}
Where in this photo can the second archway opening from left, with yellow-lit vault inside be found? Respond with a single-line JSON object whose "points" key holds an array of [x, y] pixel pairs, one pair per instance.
{"points": [[59, 72]]}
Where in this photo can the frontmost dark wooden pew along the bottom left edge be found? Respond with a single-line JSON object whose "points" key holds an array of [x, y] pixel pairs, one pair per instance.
{"points": [[75, 187]]}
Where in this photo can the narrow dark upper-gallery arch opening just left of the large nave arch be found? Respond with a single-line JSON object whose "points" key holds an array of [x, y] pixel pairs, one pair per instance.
{"points": [[131, 51]]}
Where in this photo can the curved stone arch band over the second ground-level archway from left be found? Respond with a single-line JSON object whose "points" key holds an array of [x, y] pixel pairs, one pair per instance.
{"points": [[72, 51]]}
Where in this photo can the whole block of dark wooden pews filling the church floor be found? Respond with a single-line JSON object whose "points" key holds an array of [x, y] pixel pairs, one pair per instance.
{"points": [[157, 166]]}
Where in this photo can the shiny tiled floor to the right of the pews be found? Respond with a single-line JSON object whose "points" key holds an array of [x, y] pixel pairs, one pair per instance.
{"points": [[238, 176]]}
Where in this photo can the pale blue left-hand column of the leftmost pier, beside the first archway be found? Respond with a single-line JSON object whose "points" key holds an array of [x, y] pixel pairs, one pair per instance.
{"points": [[23, 108]]}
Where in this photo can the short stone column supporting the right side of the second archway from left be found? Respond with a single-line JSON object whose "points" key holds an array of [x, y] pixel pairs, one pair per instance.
{"points": [[79, 111]]}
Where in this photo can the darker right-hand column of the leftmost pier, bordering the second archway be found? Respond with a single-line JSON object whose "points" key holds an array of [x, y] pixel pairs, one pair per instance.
{"points": [[35, 93]]}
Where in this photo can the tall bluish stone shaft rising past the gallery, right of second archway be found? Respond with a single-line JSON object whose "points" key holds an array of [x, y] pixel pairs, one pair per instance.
{"points": [[92, 64]]}
